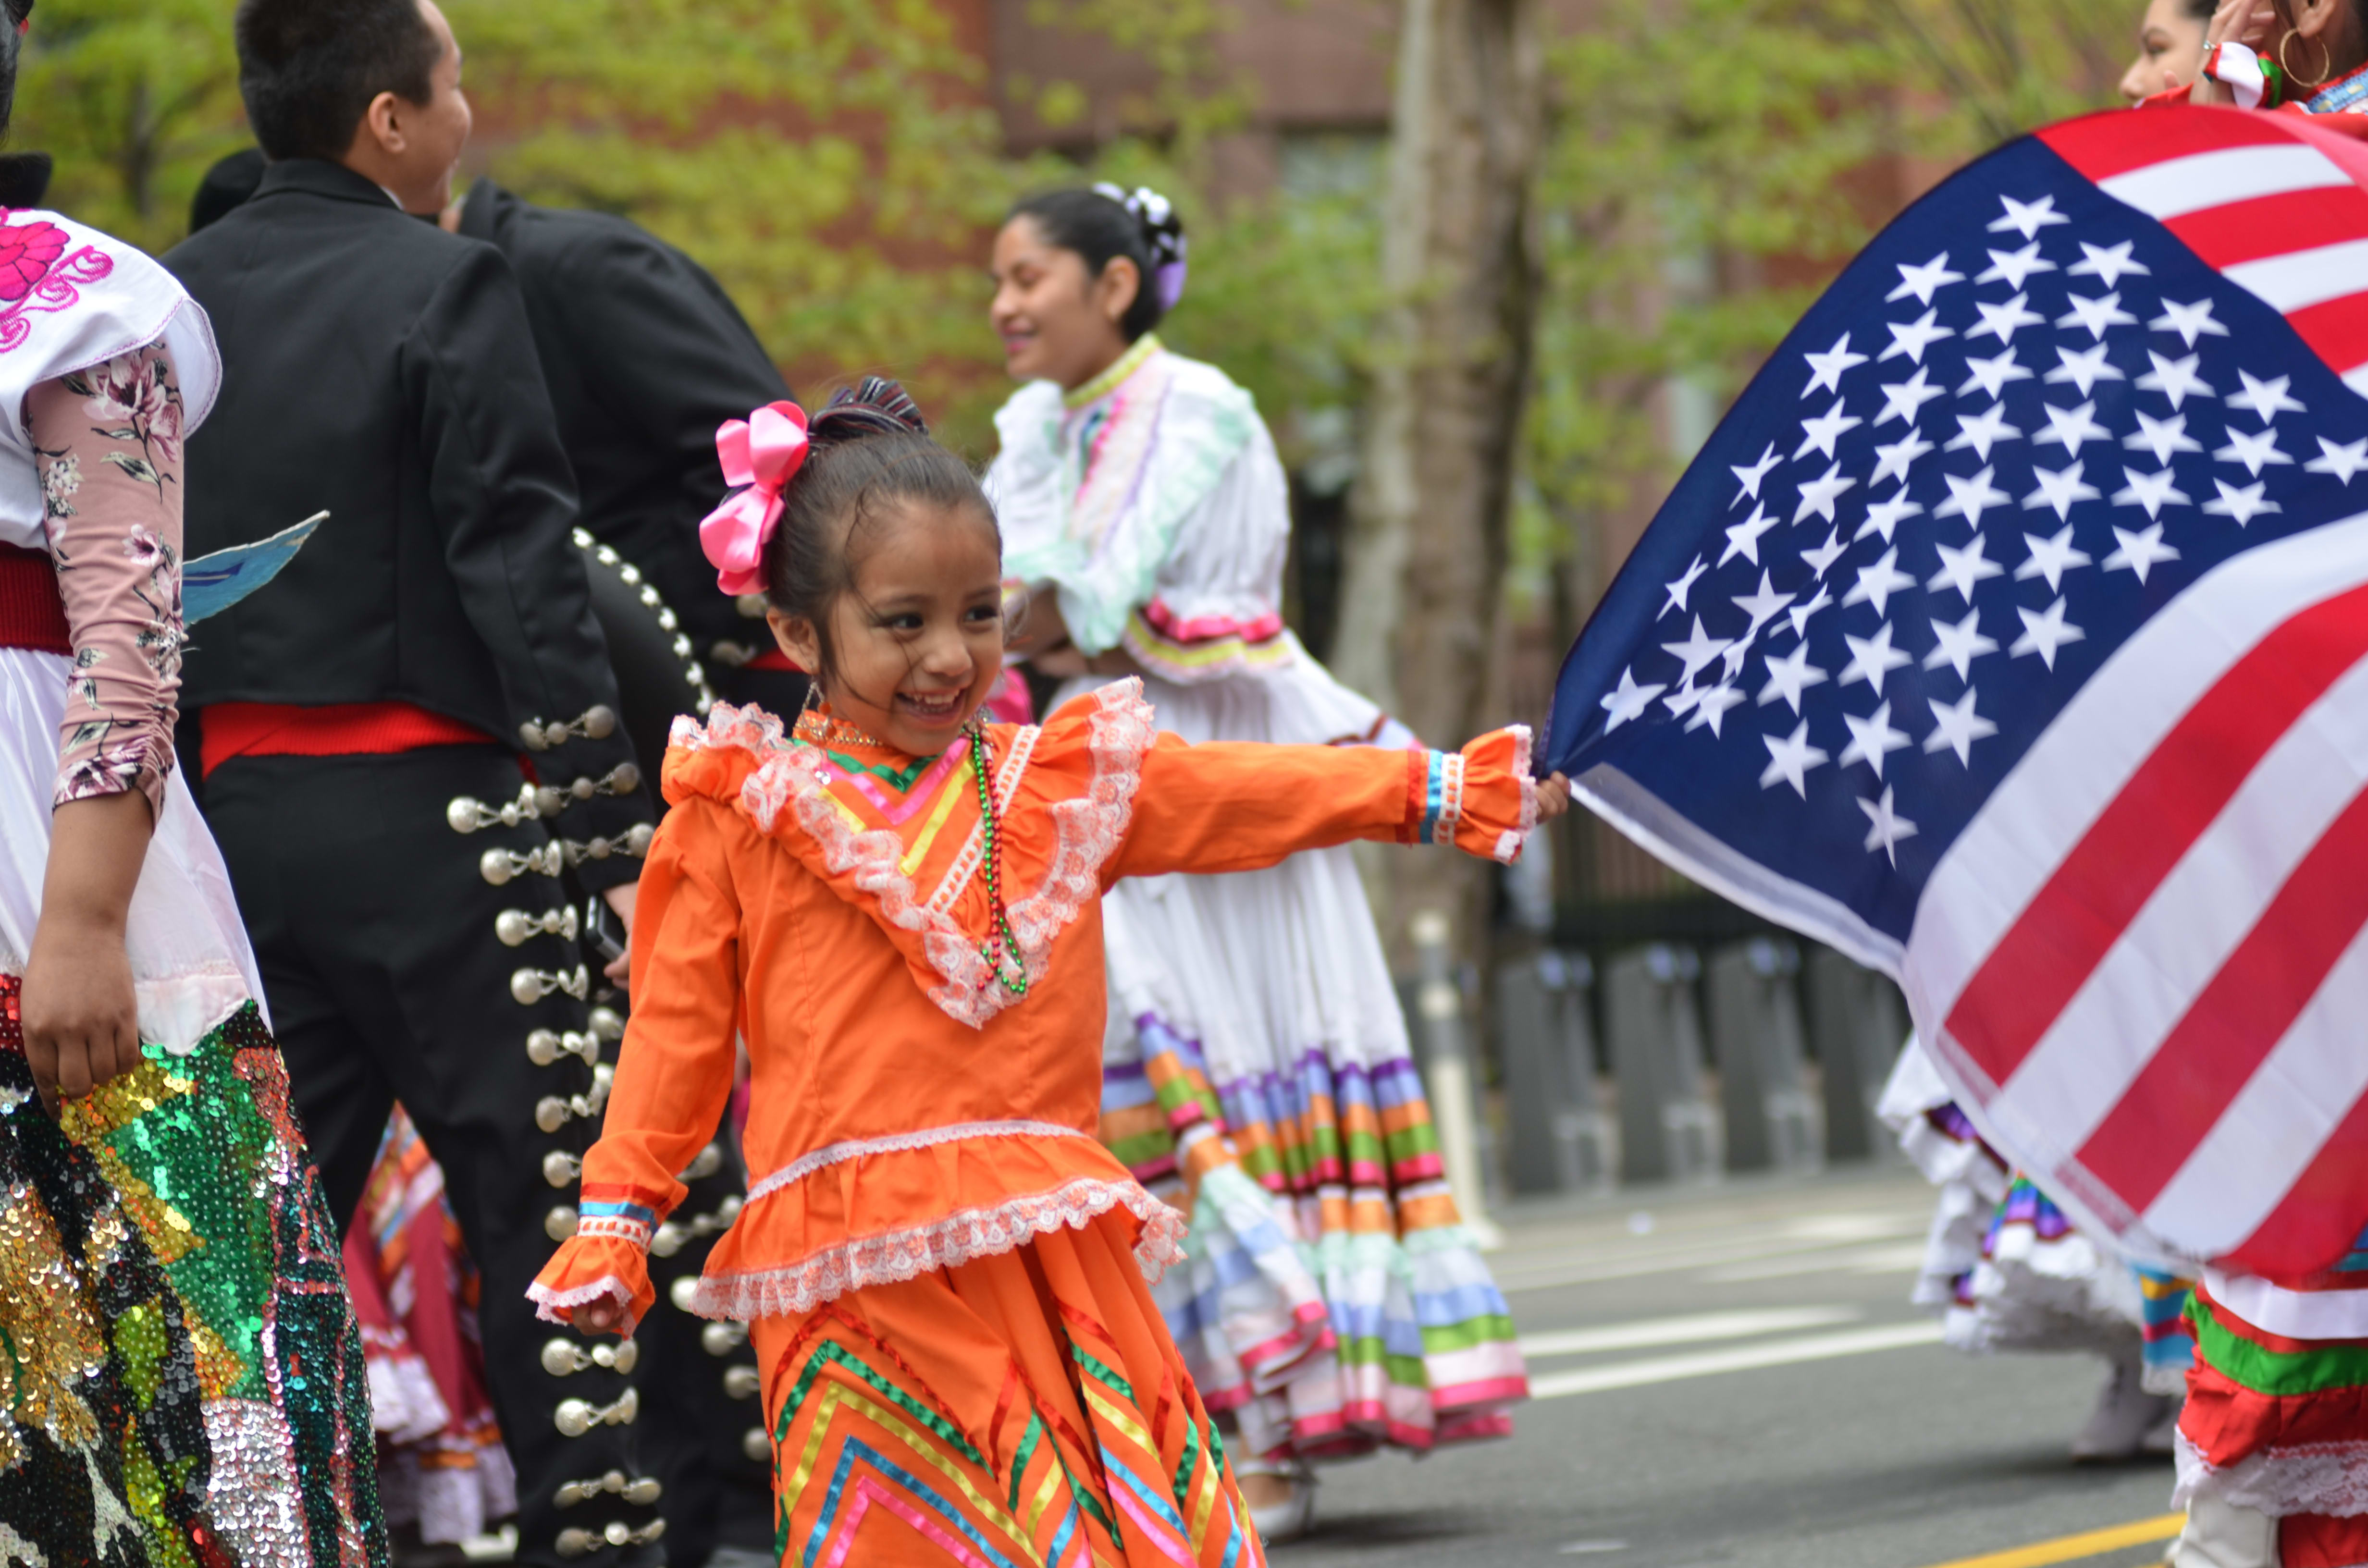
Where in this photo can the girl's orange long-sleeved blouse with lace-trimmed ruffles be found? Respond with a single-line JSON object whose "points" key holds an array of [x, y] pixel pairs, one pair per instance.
{"points": [[908, 1110]]}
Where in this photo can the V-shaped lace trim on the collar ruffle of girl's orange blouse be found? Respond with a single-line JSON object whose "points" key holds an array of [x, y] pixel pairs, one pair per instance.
{"points": [[1086, 835]]}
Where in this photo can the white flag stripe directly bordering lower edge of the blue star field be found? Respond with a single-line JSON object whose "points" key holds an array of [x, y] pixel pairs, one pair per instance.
{"points": [[2083, 761]]}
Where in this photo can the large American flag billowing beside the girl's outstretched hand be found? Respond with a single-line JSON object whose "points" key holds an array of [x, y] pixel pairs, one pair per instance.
{"points": [[2012, 636]]}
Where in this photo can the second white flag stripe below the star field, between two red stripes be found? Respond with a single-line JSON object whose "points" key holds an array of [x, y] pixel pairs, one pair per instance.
{"points": [[2192, 925]]}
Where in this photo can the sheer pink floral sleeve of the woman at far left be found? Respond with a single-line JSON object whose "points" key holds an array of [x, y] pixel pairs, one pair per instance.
{"points": [[108, 444]]}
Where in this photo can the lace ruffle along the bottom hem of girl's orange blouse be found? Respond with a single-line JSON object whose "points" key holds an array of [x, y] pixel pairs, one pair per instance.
{"points": [[944, 1245]]}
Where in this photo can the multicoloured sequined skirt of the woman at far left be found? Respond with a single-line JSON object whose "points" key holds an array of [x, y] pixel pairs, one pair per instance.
{"points": [[181, 1375]]}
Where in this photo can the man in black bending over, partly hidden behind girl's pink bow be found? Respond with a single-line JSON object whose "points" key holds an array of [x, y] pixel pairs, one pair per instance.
{"points": [[645, 356]]}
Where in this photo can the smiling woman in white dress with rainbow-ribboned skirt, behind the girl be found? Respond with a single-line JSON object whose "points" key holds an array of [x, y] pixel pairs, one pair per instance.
{"points": [[1256, 1065]]}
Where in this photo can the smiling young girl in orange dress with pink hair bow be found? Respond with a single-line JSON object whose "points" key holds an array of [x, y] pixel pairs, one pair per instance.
{"points": [[899, 906]]}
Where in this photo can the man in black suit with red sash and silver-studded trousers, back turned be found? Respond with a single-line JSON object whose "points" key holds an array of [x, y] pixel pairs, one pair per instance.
{"points": [[361, 726]]}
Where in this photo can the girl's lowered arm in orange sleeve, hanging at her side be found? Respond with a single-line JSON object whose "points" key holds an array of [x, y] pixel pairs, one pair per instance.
{"points": [[674, 1074]]}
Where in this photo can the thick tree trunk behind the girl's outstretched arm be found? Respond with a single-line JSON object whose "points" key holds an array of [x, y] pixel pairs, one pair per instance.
{"points": [[1431, 508]]}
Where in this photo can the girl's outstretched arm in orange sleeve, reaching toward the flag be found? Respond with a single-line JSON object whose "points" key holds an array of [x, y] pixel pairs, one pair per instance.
{"points": [[1235, 807]]}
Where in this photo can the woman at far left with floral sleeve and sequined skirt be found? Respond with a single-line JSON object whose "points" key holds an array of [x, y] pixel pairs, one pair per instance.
{"points": [[181, 1377]]}
